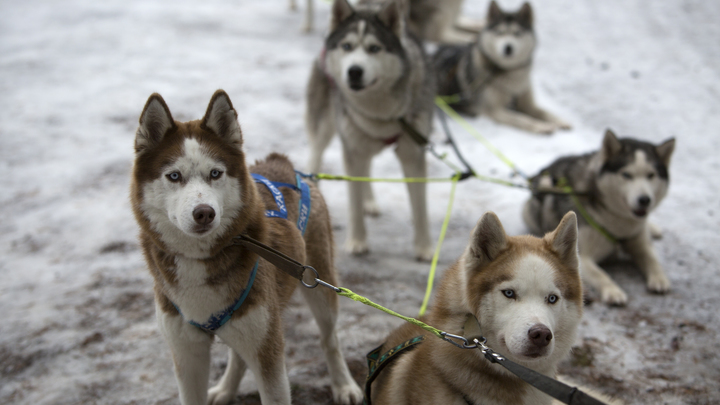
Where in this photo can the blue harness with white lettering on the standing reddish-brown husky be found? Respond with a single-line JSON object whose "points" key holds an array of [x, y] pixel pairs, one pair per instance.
{"points": [[220, 318]]}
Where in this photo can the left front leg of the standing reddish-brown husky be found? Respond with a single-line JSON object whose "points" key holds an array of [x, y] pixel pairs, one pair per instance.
{"points": [[190, 349]]}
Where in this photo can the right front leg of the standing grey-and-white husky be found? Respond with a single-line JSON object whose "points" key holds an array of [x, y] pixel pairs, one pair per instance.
{"points": [[412, 159]]}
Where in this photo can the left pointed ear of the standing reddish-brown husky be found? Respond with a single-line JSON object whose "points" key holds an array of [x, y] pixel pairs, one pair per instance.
{"points": [[155, 121]]}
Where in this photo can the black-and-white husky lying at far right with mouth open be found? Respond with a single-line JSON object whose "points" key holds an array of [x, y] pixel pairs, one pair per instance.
{"points": [[619, 186]]}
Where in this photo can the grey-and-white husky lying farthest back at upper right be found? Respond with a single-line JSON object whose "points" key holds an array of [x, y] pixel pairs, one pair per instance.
{"points": [[492, 75]]}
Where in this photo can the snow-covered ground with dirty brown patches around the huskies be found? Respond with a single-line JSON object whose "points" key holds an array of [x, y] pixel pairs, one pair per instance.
{"points": [[78, 320]]}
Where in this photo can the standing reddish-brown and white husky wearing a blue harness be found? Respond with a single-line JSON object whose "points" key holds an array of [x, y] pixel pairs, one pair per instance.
{"points": [[191, 194]]}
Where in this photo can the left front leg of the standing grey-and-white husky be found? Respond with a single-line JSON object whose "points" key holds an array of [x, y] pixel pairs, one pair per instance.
{"points": [[356, 164]]}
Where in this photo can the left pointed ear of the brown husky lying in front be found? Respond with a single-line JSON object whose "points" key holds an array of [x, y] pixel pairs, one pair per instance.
{"points": [[487, 241]]}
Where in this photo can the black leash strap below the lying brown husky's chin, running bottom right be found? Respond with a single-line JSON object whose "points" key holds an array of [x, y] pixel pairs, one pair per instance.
{"points": [[554, 388]]}
